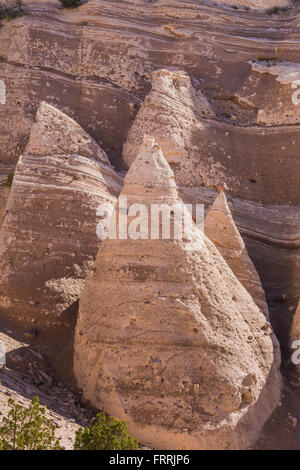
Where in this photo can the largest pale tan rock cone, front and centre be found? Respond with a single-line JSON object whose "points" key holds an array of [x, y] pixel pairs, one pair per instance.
{"points": [[167, 338]]}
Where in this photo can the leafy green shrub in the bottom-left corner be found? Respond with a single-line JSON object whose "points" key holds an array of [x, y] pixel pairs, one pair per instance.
{"points": [[27, 428]]}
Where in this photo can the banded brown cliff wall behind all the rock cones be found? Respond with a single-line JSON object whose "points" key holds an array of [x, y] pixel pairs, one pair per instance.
{"points": [[95, 64]]}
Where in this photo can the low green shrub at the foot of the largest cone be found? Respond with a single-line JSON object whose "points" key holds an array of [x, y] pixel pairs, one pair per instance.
{"points": [[105, 433]]}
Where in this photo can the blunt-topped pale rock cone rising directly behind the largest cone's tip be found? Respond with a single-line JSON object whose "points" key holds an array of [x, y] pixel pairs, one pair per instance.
{"points": [[171, 113]]}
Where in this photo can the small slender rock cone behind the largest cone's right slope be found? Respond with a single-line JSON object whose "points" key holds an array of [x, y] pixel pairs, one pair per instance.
{"points": [[221, 230]]}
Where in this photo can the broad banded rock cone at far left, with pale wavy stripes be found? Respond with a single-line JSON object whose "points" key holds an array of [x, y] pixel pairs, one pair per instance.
{"points": [[48, 239]]}
